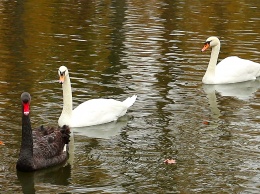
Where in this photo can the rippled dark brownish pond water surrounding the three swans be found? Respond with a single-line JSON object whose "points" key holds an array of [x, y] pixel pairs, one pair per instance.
{"points": [[115, 49]]}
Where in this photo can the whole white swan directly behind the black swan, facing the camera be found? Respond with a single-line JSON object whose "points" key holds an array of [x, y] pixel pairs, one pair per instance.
{"points": [[91, 112]]}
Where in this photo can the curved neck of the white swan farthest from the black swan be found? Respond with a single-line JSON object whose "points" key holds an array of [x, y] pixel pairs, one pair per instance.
{"points": [[210, 73]]}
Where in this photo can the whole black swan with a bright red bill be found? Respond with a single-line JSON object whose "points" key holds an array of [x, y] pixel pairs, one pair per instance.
{"points": [[43, 147]]}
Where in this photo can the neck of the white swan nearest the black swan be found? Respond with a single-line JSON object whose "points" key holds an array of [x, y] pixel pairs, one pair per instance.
{"points": [[66, 113]]}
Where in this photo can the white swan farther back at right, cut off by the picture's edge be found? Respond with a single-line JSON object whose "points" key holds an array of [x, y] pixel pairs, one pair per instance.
{"points": [[229, 70]]}
